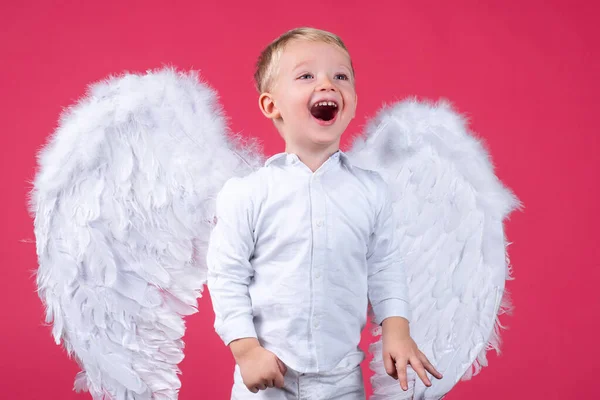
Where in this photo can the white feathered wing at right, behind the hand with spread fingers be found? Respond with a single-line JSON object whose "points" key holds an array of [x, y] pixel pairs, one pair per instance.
{"points": [[449, 209]]}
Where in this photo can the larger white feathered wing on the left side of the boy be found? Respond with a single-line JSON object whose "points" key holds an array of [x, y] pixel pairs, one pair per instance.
{"points": [[123, 206]]}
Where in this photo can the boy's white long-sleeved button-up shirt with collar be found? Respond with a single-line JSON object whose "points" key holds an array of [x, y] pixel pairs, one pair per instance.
{"points": [[295, 256]]}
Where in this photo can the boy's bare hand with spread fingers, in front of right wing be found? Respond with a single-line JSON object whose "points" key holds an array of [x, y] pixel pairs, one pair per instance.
{"points": [[399, 350]]}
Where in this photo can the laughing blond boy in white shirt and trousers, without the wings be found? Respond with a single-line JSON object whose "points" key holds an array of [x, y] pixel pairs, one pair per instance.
{"points": [[303, 244]]}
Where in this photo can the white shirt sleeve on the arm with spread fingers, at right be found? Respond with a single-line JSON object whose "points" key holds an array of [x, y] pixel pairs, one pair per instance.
{"points": [[387, 287]]}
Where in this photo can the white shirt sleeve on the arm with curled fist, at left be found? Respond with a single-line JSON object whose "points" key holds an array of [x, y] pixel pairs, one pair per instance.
{"points": [[230, 247]]}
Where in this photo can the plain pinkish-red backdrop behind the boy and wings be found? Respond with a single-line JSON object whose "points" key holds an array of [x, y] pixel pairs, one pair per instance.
{"points": [[522, 71]]}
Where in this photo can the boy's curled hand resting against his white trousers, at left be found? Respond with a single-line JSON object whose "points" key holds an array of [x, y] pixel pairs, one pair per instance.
{"points": [[261, 369]]}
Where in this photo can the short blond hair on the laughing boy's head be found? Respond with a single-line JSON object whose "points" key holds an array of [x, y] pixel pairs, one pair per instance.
{"points": [[268, 60]]}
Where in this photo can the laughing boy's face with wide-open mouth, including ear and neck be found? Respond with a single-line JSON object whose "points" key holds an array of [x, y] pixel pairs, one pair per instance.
{"points": [[313, 98]]}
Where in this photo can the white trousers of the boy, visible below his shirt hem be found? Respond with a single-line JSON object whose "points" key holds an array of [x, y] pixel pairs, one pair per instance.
{"points": [[342, 383]]}
